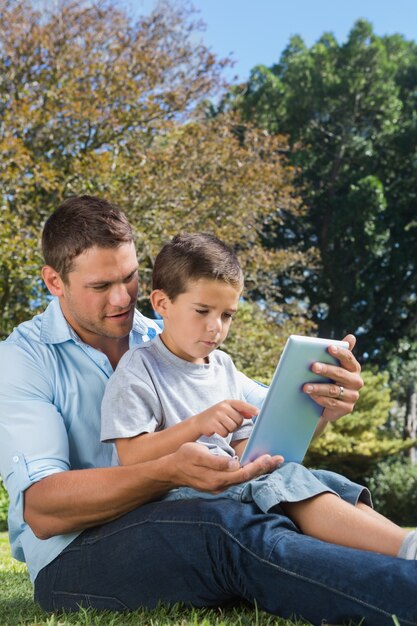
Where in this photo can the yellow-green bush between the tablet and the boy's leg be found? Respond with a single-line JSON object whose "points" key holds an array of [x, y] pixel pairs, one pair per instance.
{"points": [[355, 444]]}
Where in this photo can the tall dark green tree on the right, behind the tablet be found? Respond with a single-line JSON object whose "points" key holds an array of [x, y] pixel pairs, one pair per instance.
{"points": [[349, 112]]}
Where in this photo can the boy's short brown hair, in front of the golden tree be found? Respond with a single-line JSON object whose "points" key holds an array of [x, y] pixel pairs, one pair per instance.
{"points": [[189, 257]]}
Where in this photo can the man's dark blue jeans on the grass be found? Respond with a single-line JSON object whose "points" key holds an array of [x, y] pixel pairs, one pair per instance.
{"points": [[209, 553]]}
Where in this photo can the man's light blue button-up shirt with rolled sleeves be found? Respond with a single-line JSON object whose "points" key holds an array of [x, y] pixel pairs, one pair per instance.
{"points": [[51, 387]]}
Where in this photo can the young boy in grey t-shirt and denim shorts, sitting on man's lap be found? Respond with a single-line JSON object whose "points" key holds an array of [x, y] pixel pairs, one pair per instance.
{"points": [[162, 393]]}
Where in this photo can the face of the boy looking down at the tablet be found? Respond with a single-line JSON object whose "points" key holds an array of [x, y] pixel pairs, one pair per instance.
{"points": [[198, 321]]}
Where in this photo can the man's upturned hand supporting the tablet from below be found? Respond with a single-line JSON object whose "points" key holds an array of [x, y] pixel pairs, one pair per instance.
{"points": [[194, 466]]}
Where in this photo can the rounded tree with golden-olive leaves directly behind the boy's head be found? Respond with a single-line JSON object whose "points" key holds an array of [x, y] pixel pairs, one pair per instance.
{"points": [[200, 177]]}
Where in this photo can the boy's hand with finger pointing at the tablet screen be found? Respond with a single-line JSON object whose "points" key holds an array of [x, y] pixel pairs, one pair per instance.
{"points": [[224, 417]]}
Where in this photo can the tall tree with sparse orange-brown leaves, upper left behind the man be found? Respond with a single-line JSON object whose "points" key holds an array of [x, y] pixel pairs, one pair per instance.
{"points": [[76, 82]]}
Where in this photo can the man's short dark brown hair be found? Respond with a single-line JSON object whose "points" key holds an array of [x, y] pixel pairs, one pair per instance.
{"points": [[78, 224]]}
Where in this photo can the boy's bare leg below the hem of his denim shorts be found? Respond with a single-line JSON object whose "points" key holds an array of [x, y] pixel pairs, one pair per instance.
{"points": [[329, 518]]}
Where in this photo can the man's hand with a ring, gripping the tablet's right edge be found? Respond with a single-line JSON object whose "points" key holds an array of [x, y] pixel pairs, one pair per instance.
{"points": [[340, 397]]}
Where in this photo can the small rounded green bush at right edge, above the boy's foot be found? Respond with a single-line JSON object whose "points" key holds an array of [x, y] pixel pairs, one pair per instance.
{"points": [[394, 491]]}
